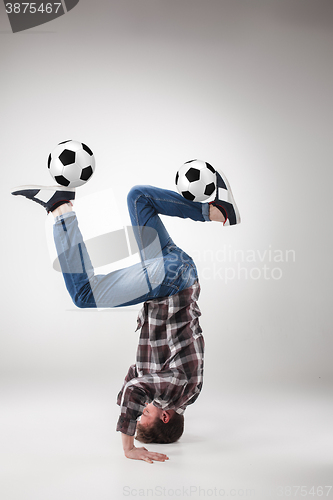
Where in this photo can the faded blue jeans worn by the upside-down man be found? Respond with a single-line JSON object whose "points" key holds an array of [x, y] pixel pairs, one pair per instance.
{"points": [[164, 269]]}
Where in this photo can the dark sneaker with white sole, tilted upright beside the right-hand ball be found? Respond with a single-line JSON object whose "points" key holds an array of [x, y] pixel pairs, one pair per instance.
{"points": [[224, 200]]}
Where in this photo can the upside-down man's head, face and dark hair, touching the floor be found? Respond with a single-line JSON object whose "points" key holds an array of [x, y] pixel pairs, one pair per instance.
{"points": [[159, 426]]}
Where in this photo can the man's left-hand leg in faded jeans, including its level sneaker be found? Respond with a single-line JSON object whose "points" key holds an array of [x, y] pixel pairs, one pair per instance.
{"points": [[123, 287]]}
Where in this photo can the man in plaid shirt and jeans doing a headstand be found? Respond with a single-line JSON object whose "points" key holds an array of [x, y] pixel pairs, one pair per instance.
{"points": [[168, 373]]}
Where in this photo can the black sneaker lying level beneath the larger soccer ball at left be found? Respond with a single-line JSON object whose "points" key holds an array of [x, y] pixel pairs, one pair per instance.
{"points": [[50, 197]]}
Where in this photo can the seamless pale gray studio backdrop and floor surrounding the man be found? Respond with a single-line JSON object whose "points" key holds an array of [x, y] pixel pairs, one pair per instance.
{"points": [[148, 85]]}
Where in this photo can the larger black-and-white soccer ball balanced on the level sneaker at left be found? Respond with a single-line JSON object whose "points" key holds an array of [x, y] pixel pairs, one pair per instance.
{"points": [[71, 163]]}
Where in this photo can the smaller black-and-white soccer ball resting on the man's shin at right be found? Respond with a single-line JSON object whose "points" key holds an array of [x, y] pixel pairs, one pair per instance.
{"points": [[196, 180]]}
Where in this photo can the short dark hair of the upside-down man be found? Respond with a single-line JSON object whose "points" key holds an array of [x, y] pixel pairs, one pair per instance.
{"points": [[161, 432]]}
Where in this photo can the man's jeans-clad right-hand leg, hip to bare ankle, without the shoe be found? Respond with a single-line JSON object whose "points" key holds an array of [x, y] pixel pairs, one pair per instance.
{"points": [[168, 268]]}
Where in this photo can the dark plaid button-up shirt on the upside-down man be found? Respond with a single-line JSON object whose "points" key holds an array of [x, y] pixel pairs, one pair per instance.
{"points": [[169, 362]]}
